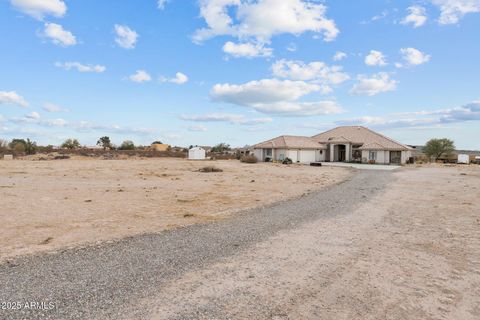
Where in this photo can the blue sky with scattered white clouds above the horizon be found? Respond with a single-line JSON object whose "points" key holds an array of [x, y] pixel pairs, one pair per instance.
{"points": [[202, 72]]}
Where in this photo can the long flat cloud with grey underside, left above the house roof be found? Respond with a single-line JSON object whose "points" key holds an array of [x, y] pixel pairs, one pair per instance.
{"points": [[273, 96]]}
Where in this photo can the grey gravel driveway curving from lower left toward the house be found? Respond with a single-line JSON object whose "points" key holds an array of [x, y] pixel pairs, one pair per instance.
{"points": [[108, 281]]}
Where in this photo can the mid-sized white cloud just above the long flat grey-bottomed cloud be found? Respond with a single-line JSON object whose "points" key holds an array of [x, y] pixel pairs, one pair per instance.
{"points": [[317, 72]]}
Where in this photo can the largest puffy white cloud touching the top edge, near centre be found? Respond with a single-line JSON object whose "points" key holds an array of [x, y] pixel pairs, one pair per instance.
{"points": [[257, 20]]}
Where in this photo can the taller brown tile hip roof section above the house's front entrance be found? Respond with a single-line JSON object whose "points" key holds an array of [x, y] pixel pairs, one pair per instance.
{"points": [[360, 135]]}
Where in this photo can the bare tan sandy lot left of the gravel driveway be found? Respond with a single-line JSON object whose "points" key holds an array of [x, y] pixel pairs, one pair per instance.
{"points": [[47, 205]]}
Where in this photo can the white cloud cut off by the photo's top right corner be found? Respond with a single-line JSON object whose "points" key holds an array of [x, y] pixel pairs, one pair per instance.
{"points": [[451, 11]]}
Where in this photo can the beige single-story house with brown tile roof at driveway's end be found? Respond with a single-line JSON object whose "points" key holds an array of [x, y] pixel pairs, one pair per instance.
{"points": [[341, 144]]}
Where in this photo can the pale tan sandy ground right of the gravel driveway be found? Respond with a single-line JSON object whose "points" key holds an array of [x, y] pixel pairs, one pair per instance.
{"points": [[412, 252]]}
